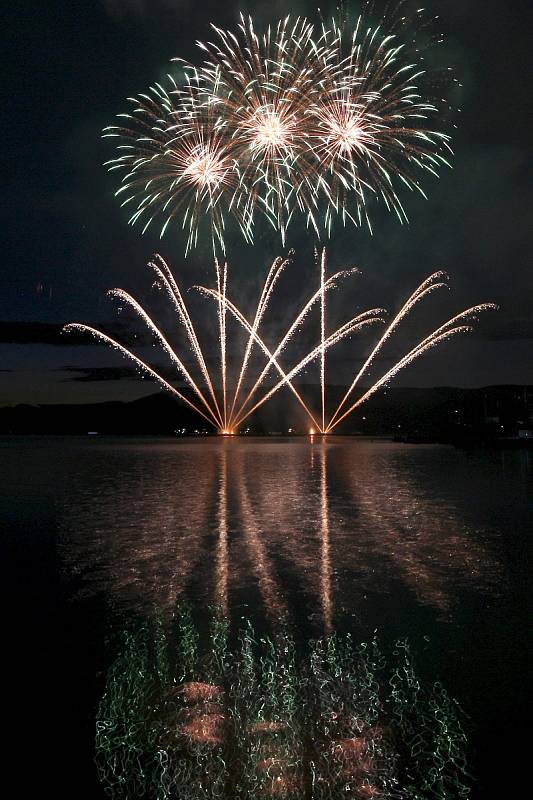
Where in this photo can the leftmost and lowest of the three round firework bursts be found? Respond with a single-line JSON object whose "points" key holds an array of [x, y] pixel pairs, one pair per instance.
{"points": [[176, 165]]}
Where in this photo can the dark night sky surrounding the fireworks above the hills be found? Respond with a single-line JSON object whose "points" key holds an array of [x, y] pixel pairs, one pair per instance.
{"points": [[68, 68]]}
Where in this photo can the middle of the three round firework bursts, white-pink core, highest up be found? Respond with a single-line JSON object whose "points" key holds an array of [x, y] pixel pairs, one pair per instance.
{"points": [[262, 88]]}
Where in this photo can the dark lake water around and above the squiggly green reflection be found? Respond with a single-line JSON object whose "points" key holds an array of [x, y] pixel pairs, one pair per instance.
{"points": [[416, 541]]}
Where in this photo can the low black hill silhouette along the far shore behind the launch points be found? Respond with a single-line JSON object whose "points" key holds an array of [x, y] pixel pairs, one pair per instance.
{"points": [[437, 414]]}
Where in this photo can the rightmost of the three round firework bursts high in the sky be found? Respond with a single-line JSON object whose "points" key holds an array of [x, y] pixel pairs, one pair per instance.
{"points": [[368, 125]]}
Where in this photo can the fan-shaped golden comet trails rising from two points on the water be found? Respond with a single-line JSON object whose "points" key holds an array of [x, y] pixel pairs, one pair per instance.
{"points": [[227, 408]]}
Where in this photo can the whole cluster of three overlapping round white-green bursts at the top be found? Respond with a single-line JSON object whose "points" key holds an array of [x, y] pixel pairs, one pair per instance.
{"points": [[299, 119]]}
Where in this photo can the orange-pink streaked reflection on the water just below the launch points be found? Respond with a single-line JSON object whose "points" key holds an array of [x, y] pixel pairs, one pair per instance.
{"points": [[295, 528]]}
